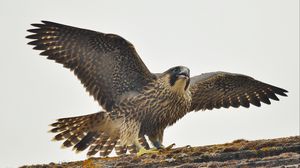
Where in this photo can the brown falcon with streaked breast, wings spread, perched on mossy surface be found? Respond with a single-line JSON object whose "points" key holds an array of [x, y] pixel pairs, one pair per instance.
{"points": [[136, 102]]}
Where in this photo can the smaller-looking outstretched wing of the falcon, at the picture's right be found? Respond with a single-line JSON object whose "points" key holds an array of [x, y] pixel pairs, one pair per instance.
{"points": [[222, 89]]}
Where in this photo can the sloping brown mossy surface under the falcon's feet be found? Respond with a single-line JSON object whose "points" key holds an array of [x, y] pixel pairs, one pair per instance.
{"points": [[281, 152]]}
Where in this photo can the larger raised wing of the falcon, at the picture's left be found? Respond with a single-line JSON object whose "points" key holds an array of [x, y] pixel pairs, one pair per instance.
{"points": [[106, 64]]}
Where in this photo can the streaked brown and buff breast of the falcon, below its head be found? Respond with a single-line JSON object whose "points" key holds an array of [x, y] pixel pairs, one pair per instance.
{"points": [[158, 107]]}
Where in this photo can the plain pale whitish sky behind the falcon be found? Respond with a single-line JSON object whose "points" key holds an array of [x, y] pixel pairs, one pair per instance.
{"points": [[259, 38]]}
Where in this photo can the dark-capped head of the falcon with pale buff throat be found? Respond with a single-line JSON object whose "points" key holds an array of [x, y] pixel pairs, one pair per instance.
{"points": [[178, 78]]}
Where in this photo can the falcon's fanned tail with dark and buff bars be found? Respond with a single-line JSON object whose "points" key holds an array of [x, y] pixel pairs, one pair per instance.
{"points": [[88, 131]]}
